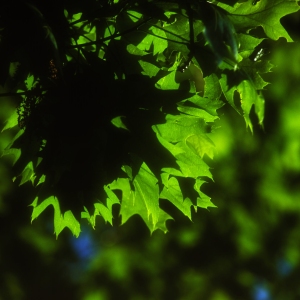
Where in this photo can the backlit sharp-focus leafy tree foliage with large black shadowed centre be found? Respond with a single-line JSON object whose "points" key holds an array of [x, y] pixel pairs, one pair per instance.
{"points": [[117, 101]]}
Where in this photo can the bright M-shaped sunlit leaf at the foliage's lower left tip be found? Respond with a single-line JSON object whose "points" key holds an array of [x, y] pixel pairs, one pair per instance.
{"points": [[60, 221]]}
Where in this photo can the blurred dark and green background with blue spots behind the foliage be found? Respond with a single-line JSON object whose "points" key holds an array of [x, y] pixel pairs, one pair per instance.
{"points": [[247, 248]]}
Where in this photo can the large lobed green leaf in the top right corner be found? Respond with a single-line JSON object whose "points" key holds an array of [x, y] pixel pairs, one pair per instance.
{"points": [[265, 13]]}
